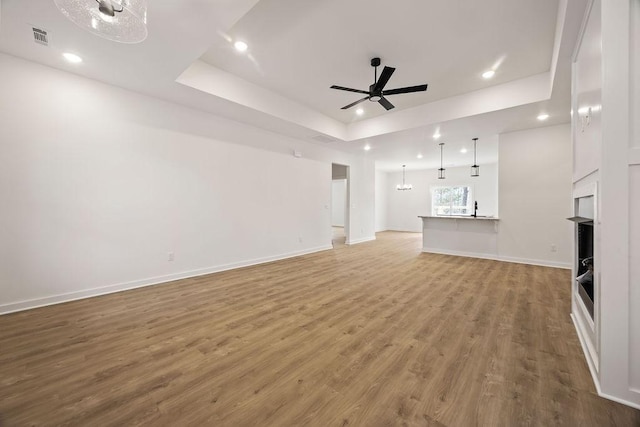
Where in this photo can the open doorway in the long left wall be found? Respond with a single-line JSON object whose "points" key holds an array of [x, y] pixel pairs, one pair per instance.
{"points": [[339, 204]]}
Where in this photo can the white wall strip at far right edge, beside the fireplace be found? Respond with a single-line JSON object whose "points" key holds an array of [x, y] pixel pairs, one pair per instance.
{"points": [[619, 323]]}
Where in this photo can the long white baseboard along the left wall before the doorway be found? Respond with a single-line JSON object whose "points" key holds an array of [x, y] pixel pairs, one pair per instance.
{"points": [[94, 292]]}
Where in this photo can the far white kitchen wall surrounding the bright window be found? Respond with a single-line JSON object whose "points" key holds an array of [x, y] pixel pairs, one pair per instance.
{"points": [[404, 207]]}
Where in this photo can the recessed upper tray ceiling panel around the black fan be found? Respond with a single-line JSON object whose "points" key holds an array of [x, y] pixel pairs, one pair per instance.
{"points": [[300, 48]]}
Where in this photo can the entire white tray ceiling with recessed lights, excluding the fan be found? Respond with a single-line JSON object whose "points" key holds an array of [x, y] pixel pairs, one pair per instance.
{"points": [[298, 48]]}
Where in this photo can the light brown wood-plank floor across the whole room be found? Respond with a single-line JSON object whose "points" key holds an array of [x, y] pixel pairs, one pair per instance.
{"points": [[376, 334]]}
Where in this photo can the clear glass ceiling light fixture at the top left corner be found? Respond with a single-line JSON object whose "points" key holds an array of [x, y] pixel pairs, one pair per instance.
{"points": [[123, 21]]}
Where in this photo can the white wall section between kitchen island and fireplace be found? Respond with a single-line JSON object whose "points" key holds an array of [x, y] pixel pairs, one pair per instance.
{"points": [[535, 196]]}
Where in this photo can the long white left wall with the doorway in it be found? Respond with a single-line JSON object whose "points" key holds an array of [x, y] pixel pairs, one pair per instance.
{"points": [[99, 184]]}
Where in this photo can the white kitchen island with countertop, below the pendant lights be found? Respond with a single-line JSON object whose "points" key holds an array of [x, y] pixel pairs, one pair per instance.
{"points": [[460, 235]]}
